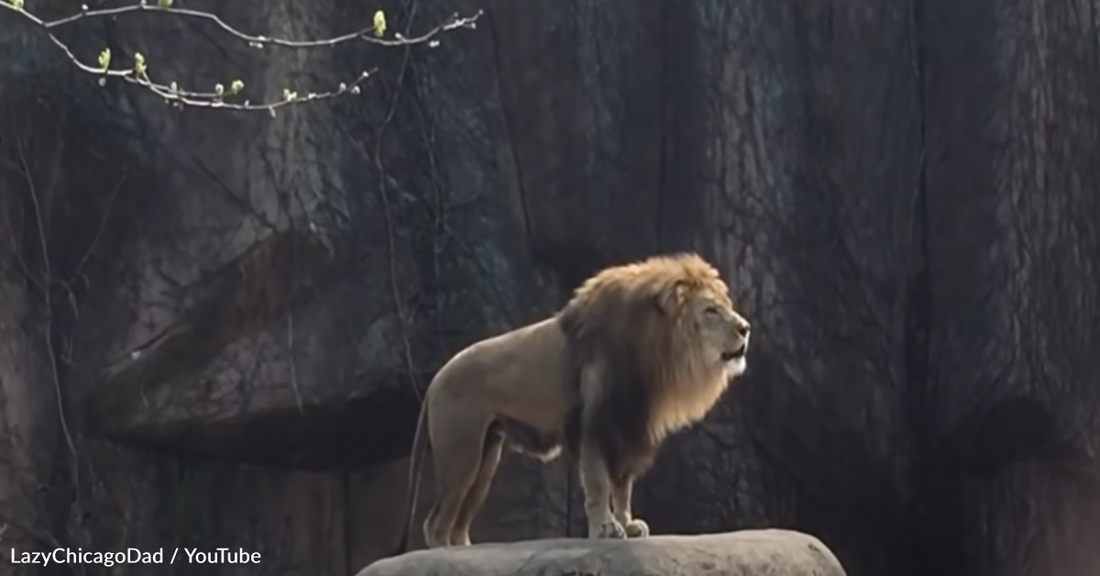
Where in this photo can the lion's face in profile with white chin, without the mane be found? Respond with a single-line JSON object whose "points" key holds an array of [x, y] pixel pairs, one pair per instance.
{"points": [[724, 334]]}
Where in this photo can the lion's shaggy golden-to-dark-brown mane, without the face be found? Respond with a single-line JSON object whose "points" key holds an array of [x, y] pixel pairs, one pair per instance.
{"points": [[635, 319]]}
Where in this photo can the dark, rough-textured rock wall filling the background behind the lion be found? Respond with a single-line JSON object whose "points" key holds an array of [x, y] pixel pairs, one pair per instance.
{"points": [[903, 194]]}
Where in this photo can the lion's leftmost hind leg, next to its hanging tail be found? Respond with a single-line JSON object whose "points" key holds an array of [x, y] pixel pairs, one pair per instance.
{"points": [[458, 439]]}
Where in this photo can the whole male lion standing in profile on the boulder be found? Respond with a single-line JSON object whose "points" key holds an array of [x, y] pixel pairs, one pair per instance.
{"points": [[640, 352]]}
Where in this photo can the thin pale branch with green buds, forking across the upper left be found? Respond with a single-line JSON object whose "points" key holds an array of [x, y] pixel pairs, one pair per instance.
{"points": [[139, 75]]}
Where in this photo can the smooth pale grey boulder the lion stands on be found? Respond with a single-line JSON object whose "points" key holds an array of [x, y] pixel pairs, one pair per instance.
{"points": [[743, 553]]}
